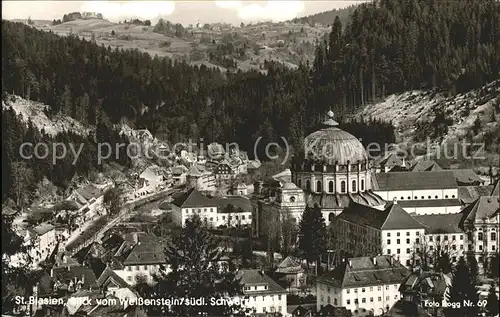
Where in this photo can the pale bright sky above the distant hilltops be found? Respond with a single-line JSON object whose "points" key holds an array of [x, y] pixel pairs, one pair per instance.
{"points": [[185, 12]]}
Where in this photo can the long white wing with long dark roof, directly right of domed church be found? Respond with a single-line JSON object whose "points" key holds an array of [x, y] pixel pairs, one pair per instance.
{"points": [[420, 192]]}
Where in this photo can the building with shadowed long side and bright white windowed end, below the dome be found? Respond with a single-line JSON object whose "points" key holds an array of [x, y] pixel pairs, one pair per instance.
{"points": [[366, 230]]}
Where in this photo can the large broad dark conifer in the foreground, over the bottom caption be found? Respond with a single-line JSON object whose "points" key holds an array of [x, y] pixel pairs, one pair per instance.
{"points": [[194, 257]]}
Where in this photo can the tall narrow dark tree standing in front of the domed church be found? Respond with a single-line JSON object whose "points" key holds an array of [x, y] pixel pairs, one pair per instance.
{"points": [[312, 234]]}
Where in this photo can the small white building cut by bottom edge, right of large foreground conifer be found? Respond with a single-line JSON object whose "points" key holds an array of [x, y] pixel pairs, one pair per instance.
{"points": [[262, 293]]}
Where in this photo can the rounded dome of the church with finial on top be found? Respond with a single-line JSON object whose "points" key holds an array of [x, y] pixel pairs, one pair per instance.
{"points": [[331, 144]]}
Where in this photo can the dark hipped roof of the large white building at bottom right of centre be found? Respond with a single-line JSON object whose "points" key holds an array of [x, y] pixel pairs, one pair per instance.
{"points": [[366, 271]]}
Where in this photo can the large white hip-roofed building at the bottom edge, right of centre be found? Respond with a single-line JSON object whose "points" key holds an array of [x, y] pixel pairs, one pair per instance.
{"points": [[364, 283]]}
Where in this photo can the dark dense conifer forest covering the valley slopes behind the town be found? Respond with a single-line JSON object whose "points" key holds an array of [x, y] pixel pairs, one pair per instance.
{"points": [[386, 47]]}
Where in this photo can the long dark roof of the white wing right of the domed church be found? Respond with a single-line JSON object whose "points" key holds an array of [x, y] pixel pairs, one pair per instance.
{"points": [[414, 180]]}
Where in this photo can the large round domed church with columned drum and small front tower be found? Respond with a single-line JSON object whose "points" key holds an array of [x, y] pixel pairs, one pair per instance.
{"points": [[332, 170]]}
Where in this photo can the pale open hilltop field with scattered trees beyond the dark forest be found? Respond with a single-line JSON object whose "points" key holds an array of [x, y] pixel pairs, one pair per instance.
{"points": [[223, 46]]}
